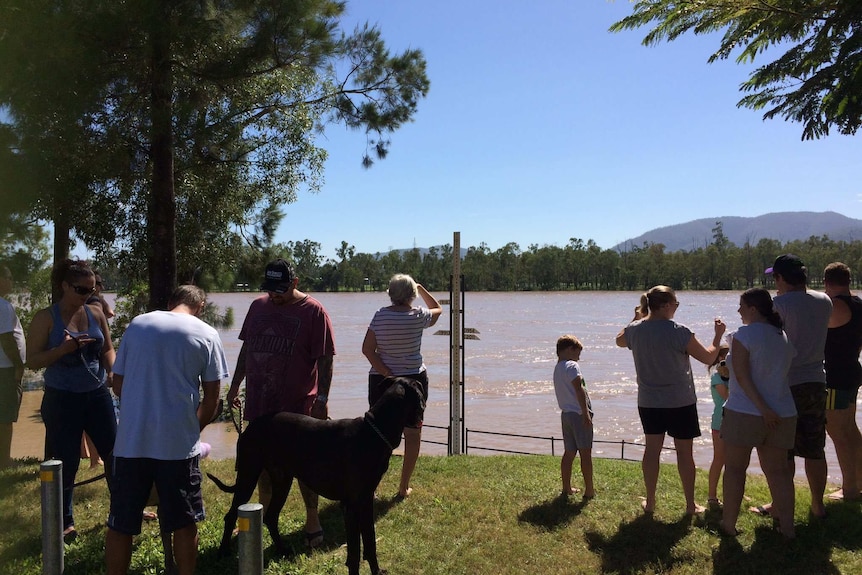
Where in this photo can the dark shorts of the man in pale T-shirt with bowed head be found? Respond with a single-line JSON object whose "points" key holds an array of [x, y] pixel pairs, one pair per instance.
{"points": [[177, 482]]}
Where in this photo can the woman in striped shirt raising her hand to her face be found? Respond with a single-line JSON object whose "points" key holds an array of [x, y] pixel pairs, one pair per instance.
{"points": [[392, 345]]}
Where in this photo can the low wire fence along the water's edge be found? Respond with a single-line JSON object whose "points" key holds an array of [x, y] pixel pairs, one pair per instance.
{"points": [[474, 442]]}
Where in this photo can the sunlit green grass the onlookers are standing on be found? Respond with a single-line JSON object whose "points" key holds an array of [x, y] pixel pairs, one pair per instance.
{"points": [[476, 515]]}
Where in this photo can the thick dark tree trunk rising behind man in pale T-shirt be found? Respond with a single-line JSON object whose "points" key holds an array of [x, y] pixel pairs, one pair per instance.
{"points": [[161, 212]]}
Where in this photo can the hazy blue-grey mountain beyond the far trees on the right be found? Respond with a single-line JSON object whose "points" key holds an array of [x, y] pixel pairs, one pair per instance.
{"points": [[781, 226]]}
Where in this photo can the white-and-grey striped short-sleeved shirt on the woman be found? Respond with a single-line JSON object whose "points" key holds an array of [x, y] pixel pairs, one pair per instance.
{"points": [[399, 338]]}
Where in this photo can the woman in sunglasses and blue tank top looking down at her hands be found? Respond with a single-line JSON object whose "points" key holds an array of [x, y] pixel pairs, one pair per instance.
{"points": [[72, 341]]}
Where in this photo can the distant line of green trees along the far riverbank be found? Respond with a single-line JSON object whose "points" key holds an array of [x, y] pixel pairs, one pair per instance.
{"points": [[578, 265]]}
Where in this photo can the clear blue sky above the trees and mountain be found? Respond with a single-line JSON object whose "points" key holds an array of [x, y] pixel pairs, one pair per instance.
{"points": [[540, 126]]}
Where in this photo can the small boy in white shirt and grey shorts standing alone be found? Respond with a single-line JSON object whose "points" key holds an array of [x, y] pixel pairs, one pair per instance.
{"points": [[577, 415]]}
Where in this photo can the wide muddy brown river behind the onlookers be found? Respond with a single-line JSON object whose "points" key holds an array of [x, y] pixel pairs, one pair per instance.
{"points": [[508, 382]]}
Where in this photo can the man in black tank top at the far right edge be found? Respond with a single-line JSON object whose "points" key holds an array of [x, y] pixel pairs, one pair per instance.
{"points": [[843, 378]]}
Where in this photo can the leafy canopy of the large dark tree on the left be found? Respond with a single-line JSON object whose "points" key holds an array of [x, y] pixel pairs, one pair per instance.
{"points": [[163, 133]]}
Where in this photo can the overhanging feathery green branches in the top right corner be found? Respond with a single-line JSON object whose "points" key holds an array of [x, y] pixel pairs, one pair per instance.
{"points": [[817, 81]]}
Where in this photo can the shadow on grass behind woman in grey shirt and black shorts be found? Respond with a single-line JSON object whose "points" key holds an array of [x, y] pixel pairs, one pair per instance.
{"points": [[639, 544]]}
